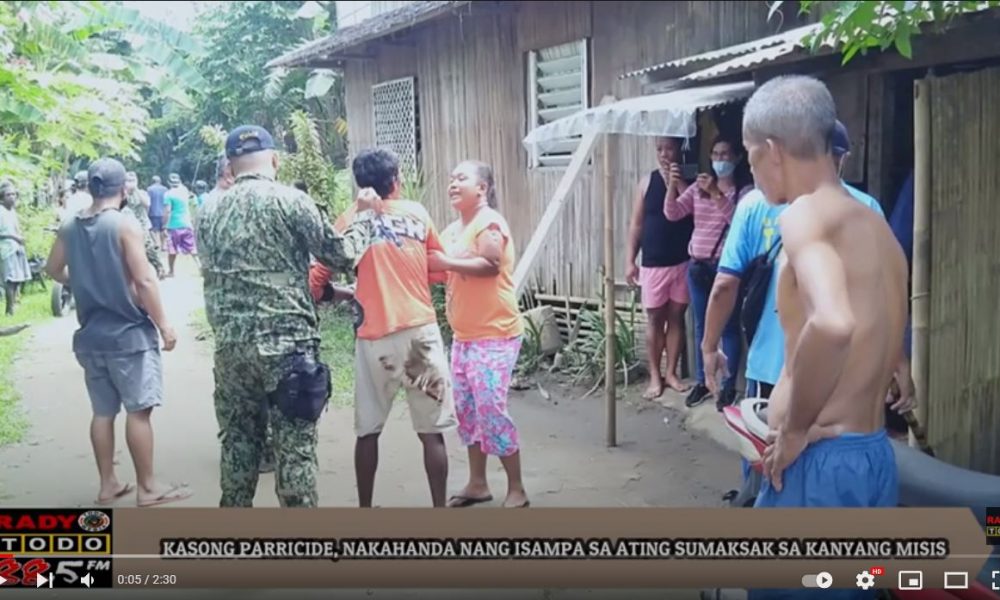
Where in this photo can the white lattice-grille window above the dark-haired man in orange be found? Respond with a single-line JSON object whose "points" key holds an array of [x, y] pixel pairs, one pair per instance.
{"points": [[396, 120]]}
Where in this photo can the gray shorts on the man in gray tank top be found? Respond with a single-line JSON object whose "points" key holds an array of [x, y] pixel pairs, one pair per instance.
{"points": [[134, 381]]}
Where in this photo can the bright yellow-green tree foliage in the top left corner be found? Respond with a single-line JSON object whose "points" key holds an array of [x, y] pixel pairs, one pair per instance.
{"points": [[74, 77]]}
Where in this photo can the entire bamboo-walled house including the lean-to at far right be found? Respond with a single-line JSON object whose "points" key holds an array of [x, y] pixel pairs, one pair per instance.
{"points": [[445, 81]]}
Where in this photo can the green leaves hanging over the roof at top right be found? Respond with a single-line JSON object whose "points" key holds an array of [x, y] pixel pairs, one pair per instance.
{"points": [[859, 26]]}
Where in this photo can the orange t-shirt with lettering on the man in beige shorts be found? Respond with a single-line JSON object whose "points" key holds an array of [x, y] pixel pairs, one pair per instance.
{"points": [[392, 292]]}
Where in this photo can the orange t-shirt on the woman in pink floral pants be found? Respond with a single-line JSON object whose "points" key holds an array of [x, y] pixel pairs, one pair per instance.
{"points": [[482, 308]]}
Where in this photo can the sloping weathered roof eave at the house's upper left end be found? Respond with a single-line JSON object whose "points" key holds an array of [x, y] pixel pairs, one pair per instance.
{"points": [[365, 31]]}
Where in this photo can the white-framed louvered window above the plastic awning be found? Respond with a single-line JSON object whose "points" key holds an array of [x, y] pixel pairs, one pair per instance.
{"points": [[558, 86]]}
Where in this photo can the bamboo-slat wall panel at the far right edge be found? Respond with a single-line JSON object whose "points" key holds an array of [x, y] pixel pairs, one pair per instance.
{"points": [[963, 412]]}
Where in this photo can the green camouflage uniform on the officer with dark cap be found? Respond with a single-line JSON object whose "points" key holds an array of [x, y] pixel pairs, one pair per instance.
{"points": [[257, 239]]}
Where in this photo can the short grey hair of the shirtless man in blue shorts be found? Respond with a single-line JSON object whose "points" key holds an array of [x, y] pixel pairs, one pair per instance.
{"points": [[796, 111]]}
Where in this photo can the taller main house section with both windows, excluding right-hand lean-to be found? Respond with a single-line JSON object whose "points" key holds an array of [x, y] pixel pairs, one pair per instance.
{"points": [[440, 82]]}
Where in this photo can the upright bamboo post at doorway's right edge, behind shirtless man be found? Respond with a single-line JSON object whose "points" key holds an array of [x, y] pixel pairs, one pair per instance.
{"points": [[921, 302]]}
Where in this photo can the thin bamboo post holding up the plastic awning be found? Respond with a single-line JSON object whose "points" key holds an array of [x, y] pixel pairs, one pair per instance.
{"points": [[610, 356]]}
